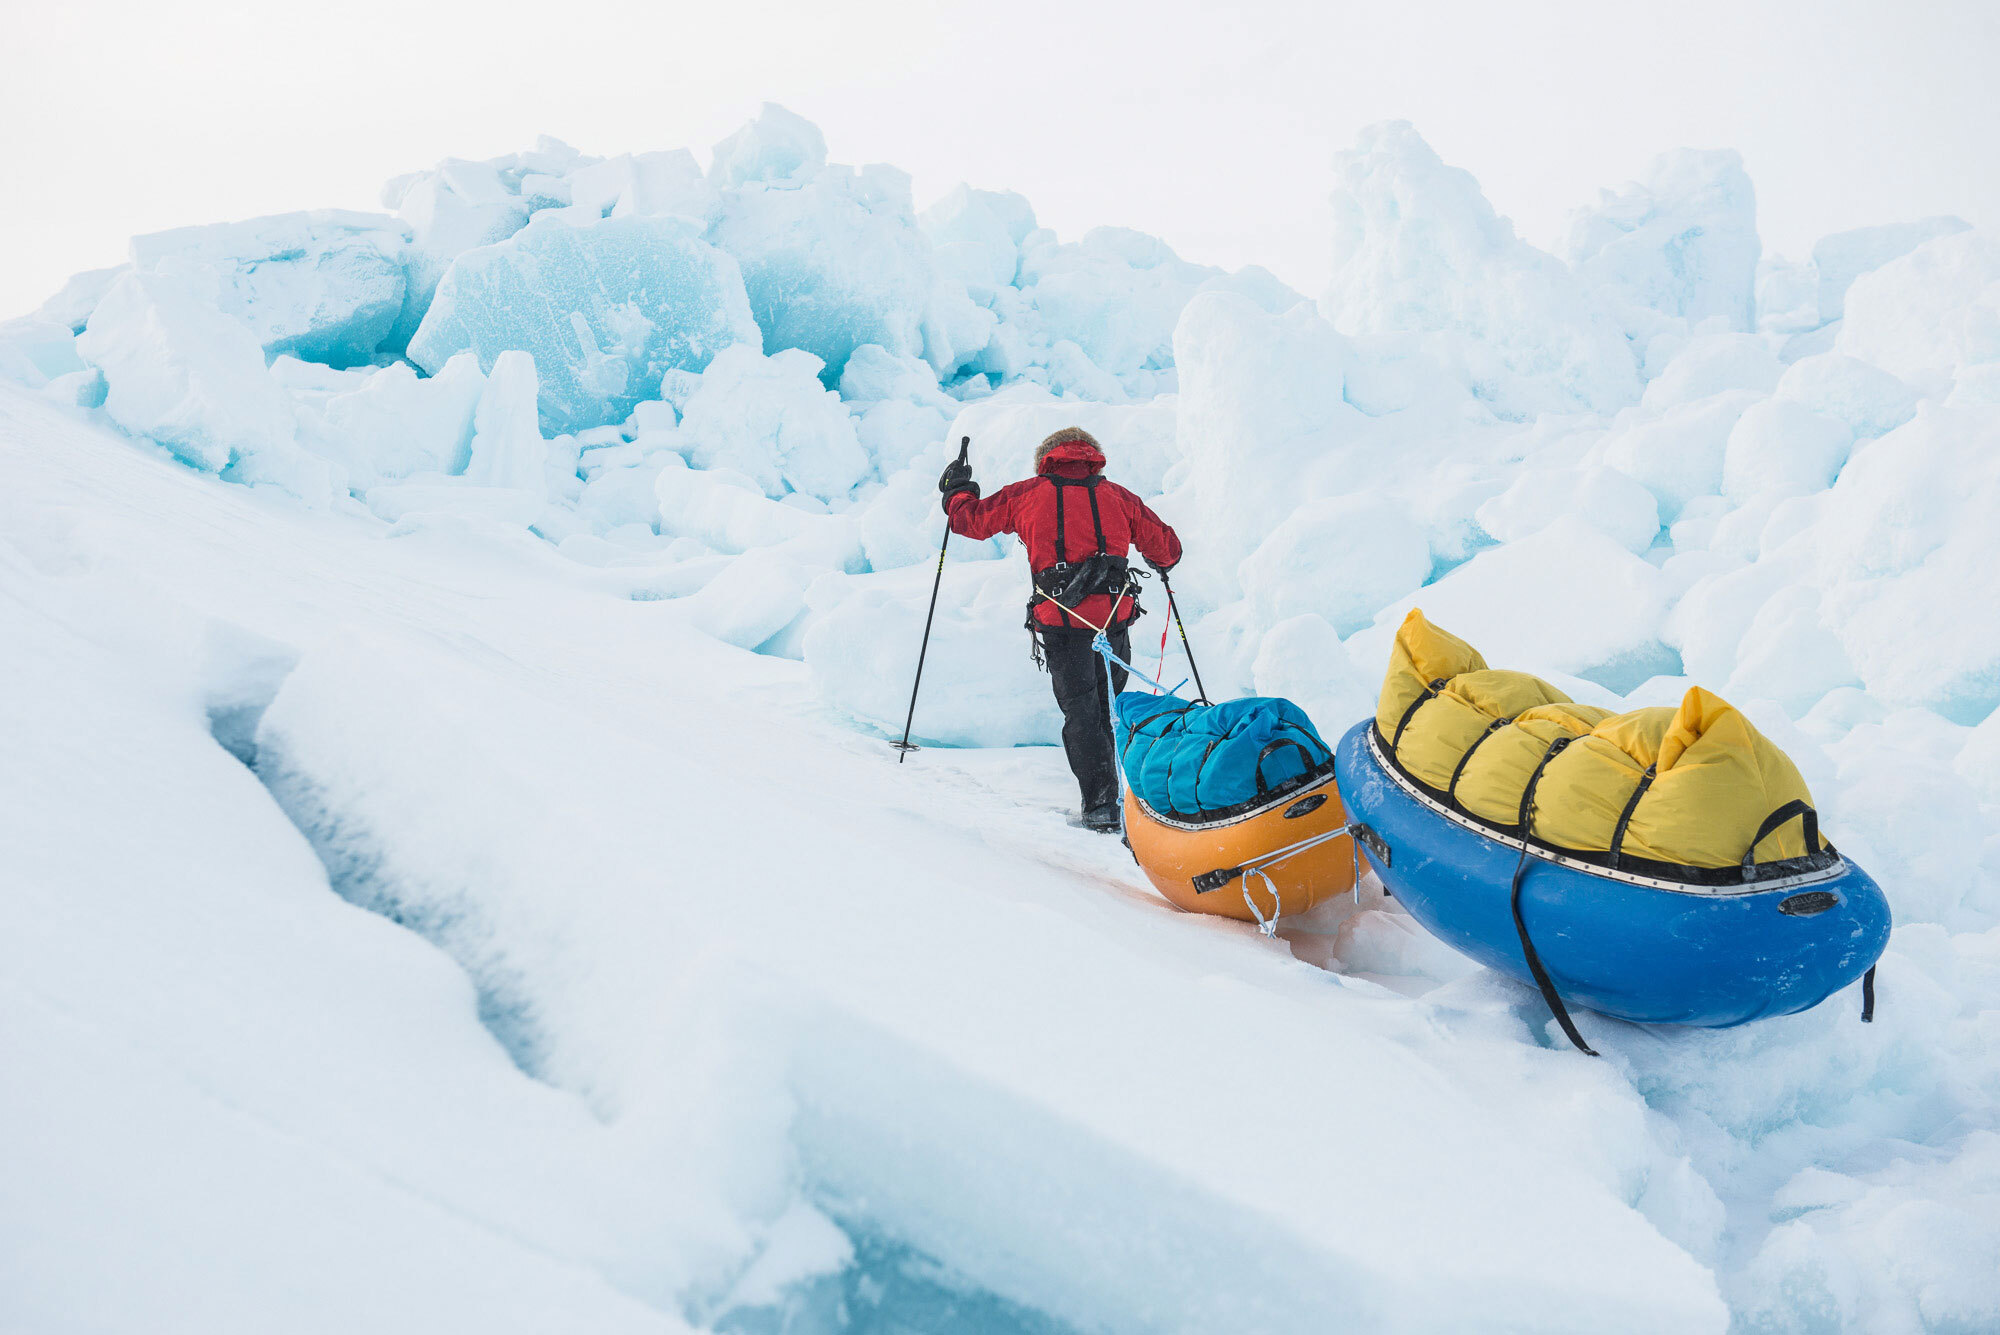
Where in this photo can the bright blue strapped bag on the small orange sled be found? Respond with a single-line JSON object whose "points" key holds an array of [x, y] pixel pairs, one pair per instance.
{"points": [[1197, 762]]}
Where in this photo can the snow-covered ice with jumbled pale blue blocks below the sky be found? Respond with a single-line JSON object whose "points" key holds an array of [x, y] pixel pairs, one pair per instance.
{"points": [[455, 878]]}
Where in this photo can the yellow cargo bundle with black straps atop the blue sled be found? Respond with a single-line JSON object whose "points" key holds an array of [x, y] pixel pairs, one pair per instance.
{"points": [[1709, 776]]}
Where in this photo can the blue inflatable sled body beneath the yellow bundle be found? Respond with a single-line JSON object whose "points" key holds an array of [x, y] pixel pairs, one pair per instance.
{"points": [[1631, 946]]}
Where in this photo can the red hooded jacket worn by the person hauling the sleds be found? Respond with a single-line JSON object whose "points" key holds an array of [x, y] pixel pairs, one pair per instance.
{"points": [[1029, 513]]}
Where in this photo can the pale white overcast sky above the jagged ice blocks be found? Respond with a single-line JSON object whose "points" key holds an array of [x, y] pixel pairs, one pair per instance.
{"points": [[1209, 125]]}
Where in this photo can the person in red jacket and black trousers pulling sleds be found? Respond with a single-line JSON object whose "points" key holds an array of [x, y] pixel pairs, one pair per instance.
{"points": [[1079, 531]]}
